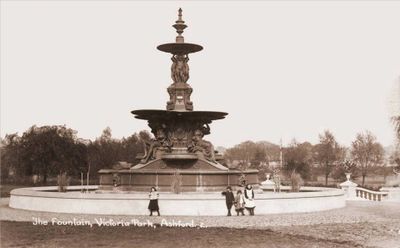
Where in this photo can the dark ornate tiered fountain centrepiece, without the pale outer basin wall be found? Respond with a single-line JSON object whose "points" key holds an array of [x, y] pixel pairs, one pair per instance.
{"points": [[178, 156]]}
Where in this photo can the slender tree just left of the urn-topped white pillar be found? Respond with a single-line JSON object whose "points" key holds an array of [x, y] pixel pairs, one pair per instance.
{"points": [[328, 153]]}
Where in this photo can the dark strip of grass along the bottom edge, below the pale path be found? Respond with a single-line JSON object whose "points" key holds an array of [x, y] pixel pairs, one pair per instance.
{"points": [[24, 234]]}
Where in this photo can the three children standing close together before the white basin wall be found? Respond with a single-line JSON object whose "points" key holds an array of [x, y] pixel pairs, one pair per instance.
{"points": [[242, 200]]}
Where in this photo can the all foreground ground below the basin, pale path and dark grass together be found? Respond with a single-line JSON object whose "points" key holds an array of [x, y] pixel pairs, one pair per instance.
{"points": [[359, 224]]}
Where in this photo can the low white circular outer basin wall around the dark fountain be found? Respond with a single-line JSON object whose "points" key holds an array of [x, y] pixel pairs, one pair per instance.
{"points": [[185, 204]]}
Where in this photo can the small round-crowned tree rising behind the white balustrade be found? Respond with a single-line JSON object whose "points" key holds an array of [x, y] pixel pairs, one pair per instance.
{"points": [[366, 153]]}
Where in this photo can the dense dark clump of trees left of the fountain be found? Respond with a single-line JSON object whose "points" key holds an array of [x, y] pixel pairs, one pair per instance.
{"points": [[51, 150]]}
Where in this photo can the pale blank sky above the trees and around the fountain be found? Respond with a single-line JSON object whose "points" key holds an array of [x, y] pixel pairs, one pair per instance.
{"points": [[282, 70]]}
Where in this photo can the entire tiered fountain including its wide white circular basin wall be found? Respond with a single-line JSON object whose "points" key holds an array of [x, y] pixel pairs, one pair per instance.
{"points": [[178, 159]]}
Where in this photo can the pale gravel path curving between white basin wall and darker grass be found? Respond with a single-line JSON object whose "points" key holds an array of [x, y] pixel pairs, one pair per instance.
{"points": [[373, 224]]}
